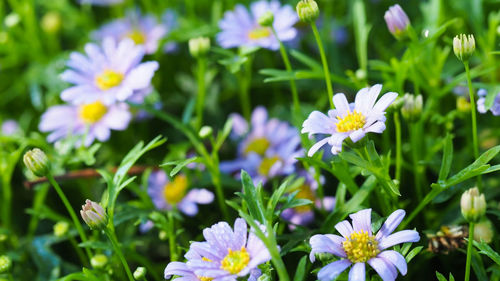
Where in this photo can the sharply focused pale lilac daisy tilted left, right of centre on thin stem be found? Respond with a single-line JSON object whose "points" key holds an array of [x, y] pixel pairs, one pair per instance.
{"points": [[349, 120]]}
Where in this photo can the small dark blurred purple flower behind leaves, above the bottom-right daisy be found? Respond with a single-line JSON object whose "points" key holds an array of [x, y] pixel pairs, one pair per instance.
{"points": [[303, 215]]}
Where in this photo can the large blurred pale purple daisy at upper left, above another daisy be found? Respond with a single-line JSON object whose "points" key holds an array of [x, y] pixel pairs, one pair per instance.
{"points": [[108, 73]]}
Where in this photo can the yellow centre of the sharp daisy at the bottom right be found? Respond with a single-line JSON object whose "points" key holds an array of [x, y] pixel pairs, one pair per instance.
{"points": [[360, 247]]}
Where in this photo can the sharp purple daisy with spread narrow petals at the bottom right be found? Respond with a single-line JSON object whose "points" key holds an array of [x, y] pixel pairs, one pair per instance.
{"points": [[358, 246]]}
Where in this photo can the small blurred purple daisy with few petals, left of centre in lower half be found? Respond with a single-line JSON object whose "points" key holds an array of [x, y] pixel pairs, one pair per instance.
{"points": [[166, 193]]}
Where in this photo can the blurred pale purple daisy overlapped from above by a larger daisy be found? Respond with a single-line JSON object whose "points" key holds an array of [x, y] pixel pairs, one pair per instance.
{"points": [[94, 120]]}
